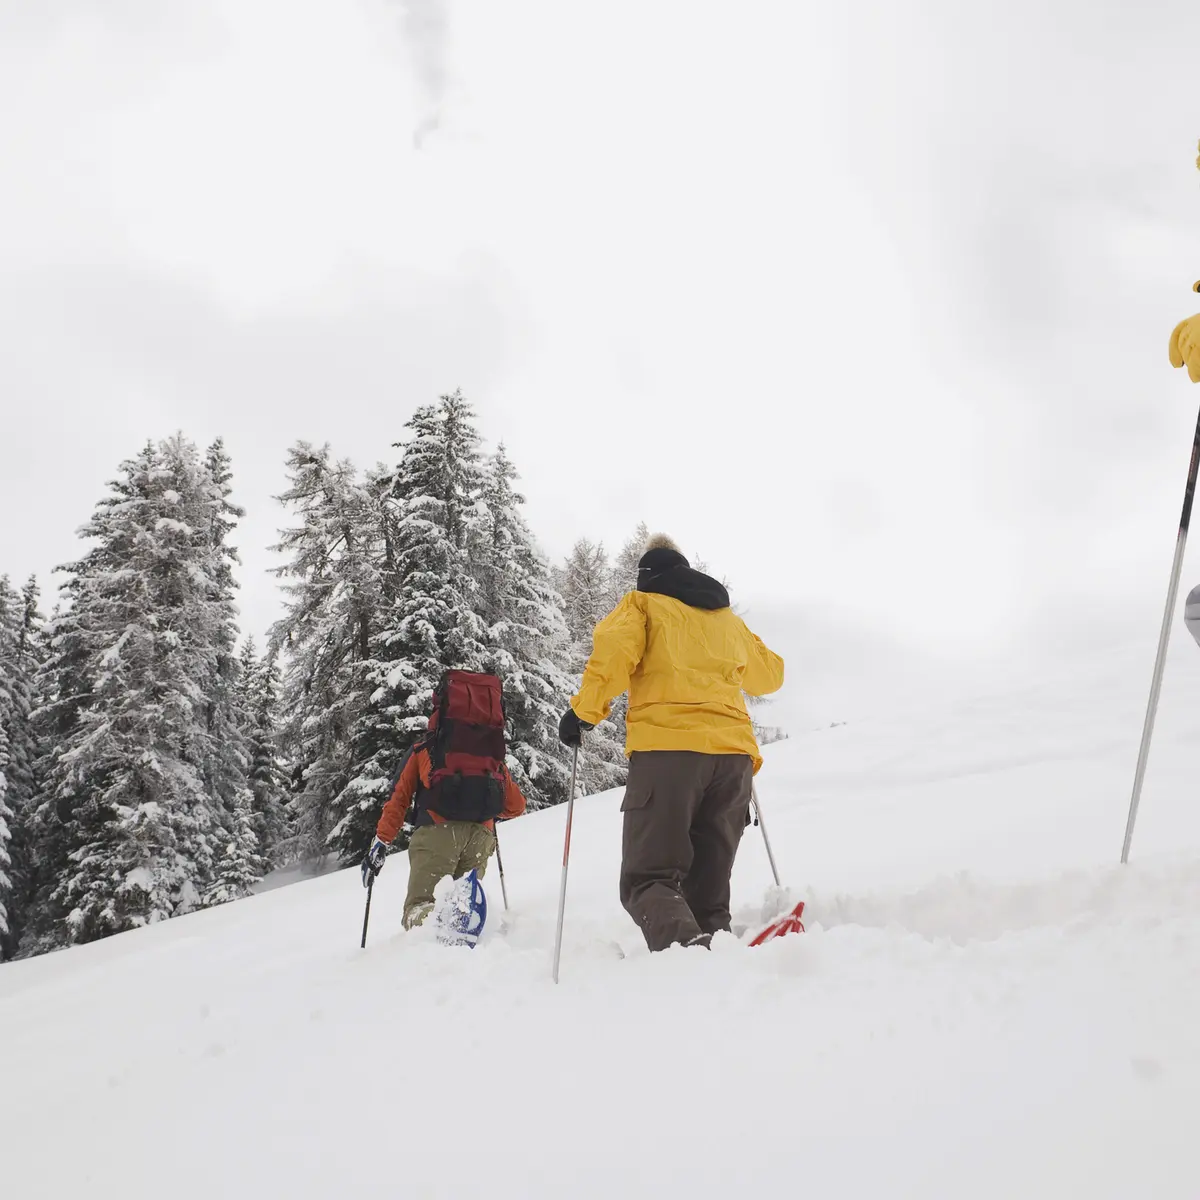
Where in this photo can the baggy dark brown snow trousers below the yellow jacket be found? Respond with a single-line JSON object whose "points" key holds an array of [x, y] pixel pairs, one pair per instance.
{"points": [[685, 817]]}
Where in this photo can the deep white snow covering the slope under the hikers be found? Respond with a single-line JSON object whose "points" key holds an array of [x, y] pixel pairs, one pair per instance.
{"points": [[985, 1005]]}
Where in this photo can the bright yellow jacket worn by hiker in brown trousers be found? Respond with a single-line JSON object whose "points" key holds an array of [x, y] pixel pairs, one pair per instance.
{"points": [[686, 670]]}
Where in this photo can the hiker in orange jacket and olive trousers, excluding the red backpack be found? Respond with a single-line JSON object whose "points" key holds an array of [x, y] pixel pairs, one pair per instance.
{"points": [[439, 848]]}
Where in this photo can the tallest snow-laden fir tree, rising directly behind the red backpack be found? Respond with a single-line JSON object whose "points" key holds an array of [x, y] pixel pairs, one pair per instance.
{"points": [[434, 625]]}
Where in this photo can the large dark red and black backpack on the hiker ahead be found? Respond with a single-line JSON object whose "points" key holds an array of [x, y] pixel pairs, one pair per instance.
{"points": [[466, 748]]}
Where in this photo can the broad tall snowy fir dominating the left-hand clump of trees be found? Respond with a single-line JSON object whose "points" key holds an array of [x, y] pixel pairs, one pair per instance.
{"points": [[124, 802]]}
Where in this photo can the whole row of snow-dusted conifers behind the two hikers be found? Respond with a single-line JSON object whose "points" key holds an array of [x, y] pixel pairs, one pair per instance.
{"points": [[155, 761]]}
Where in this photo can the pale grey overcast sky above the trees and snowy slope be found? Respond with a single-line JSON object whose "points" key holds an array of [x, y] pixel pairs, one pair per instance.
{"points": [[867, 303]]}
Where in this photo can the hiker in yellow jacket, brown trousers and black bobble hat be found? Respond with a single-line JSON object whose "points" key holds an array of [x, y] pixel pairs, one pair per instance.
{"points": [[686, 659]]}
